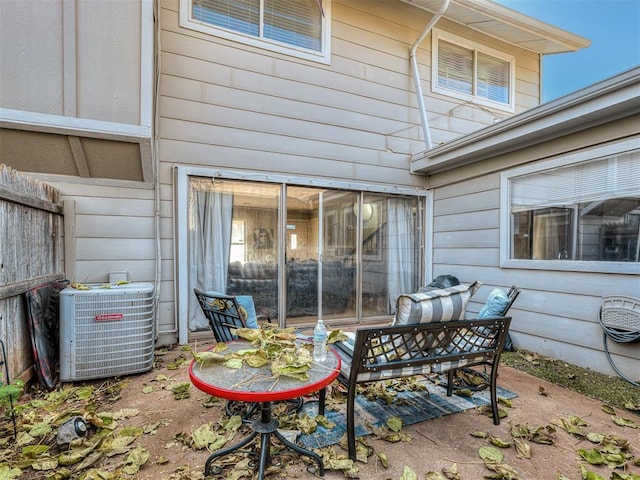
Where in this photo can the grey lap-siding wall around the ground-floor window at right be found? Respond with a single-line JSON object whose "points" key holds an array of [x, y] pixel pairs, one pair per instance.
{"points": [[557, 313]]}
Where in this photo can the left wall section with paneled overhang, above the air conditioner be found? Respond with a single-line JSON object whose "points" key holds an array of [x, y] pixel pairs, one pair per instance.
{"points": [[76, 112]]}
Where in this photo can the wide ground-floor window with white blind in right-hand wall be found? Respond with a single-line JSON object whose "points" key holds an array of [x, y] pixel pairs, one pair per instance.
{"points": [[580, 212]]}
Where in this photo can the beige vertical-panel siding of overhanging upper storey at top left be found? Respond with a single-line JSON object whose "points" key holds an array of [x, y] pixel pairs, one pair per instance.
{"points": [[79, 42]]}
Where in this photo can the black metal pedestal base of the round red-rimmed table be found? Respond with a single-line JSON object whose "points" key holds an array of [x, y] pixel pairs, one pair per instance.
{"points": [[265, 427]]}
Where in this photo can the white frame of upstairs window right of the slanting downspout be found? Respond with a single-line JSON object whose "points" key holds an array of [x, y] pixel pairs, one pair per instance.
{"points": [[451, 38]]}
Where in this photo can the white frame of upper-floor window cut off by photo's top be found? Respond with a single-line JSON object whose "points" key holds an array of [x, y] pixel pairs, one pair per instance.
{"points": [[187, 21]]}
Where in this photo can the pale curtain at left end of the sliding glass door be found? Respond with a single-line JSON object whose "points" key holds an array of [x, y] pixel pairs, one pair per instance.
{"points": [[210, 216]]}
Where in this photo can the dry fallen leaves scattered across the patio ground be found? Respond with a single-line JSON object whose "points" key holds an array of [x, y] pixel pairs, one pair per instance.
{"points": [[44, 414]]}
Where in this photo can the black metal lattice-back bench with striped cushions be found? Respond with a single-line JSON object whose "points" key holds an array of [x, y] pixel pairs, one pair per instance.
{"points": [[424, 347]]}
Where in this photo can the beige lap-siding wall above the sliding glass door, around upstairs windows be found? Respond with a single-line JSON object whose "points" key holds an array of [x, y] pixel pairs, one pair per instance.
{"points": [[231, 106]]}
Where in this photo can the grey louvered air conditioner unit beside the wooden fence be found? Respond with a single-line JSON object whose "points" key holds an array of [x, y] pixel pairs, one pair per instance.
{"points": [[106, 332]]}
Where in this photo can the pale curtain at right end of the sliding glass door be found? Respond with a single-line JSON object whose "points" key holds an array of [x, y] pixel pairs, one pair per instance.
{"points": [[401, 230]]}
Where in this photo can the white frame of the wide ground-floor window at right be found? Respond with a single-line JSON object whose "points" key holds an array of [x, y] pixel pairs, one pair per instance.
{"points": [[555, 162]]}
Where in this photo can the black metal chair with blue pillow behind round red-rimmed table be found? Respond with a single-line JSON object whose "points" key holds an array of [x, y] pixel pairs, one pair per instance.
{"points": [[224, 314]]}
